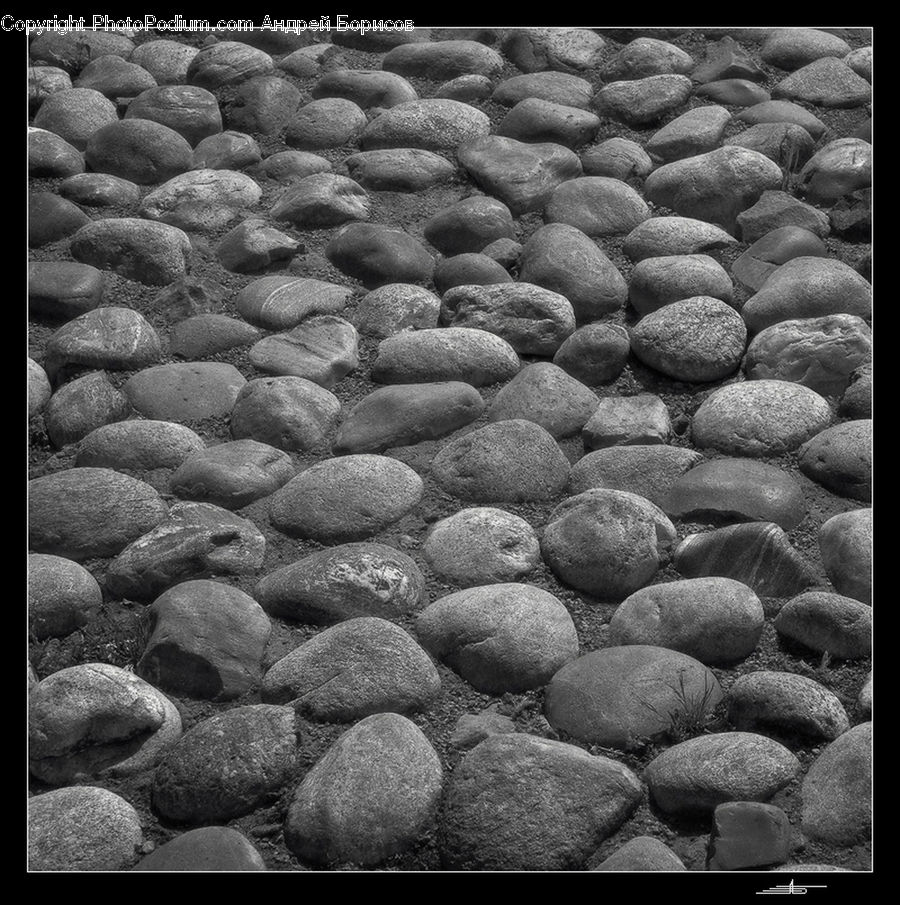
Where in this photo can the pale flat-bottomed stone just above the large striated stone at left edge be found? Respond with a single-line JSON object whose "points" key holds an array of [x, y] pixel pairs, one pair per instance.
{"points": [[138, 446]]}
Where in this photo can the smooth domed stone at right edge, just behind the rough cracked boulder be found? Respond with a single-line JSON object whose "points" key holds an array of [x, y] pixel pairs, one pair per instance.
{"points": [[808, 287]]}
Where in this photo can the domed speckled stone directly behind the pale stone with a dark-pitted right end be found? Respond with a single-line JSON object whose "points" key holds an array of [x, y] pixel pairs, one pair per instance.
{"points": [[509, 461]]}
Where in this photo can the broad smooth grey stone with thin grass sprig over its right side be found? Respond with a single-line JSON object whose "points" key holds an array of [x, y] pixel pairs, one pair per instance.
{"points": [[625, 697]]}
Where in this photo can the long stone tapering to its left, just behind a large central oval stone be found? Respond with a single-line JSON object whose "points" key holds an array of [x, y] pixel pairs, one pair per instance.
{"points": [[407, 414]]}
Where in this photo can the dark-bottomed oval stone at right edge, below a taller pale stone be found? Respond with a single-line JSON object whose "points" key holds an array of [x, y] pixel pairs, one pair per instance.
{"points": [[827, 622]]}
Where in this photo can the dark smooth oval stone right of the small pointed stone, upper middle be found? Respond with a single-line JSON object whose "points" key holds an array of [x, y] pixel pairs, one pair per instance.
{"points": [[376, 255]]}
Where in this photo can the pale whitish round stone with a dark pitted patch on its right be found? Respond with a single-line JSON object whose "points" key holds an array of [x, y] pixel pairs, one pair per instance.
{"points": [[481, 546]]}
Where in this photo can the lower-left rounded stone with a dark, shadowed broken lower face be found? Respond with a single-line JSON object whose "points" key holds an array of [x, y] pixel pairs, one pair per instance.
{"points": [[207, 642]]}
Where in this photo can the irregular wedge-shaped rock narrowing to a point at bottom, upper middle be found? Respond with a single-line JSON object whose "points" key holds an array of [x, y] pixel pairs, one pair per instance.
{"points": [[523, 176]]}
